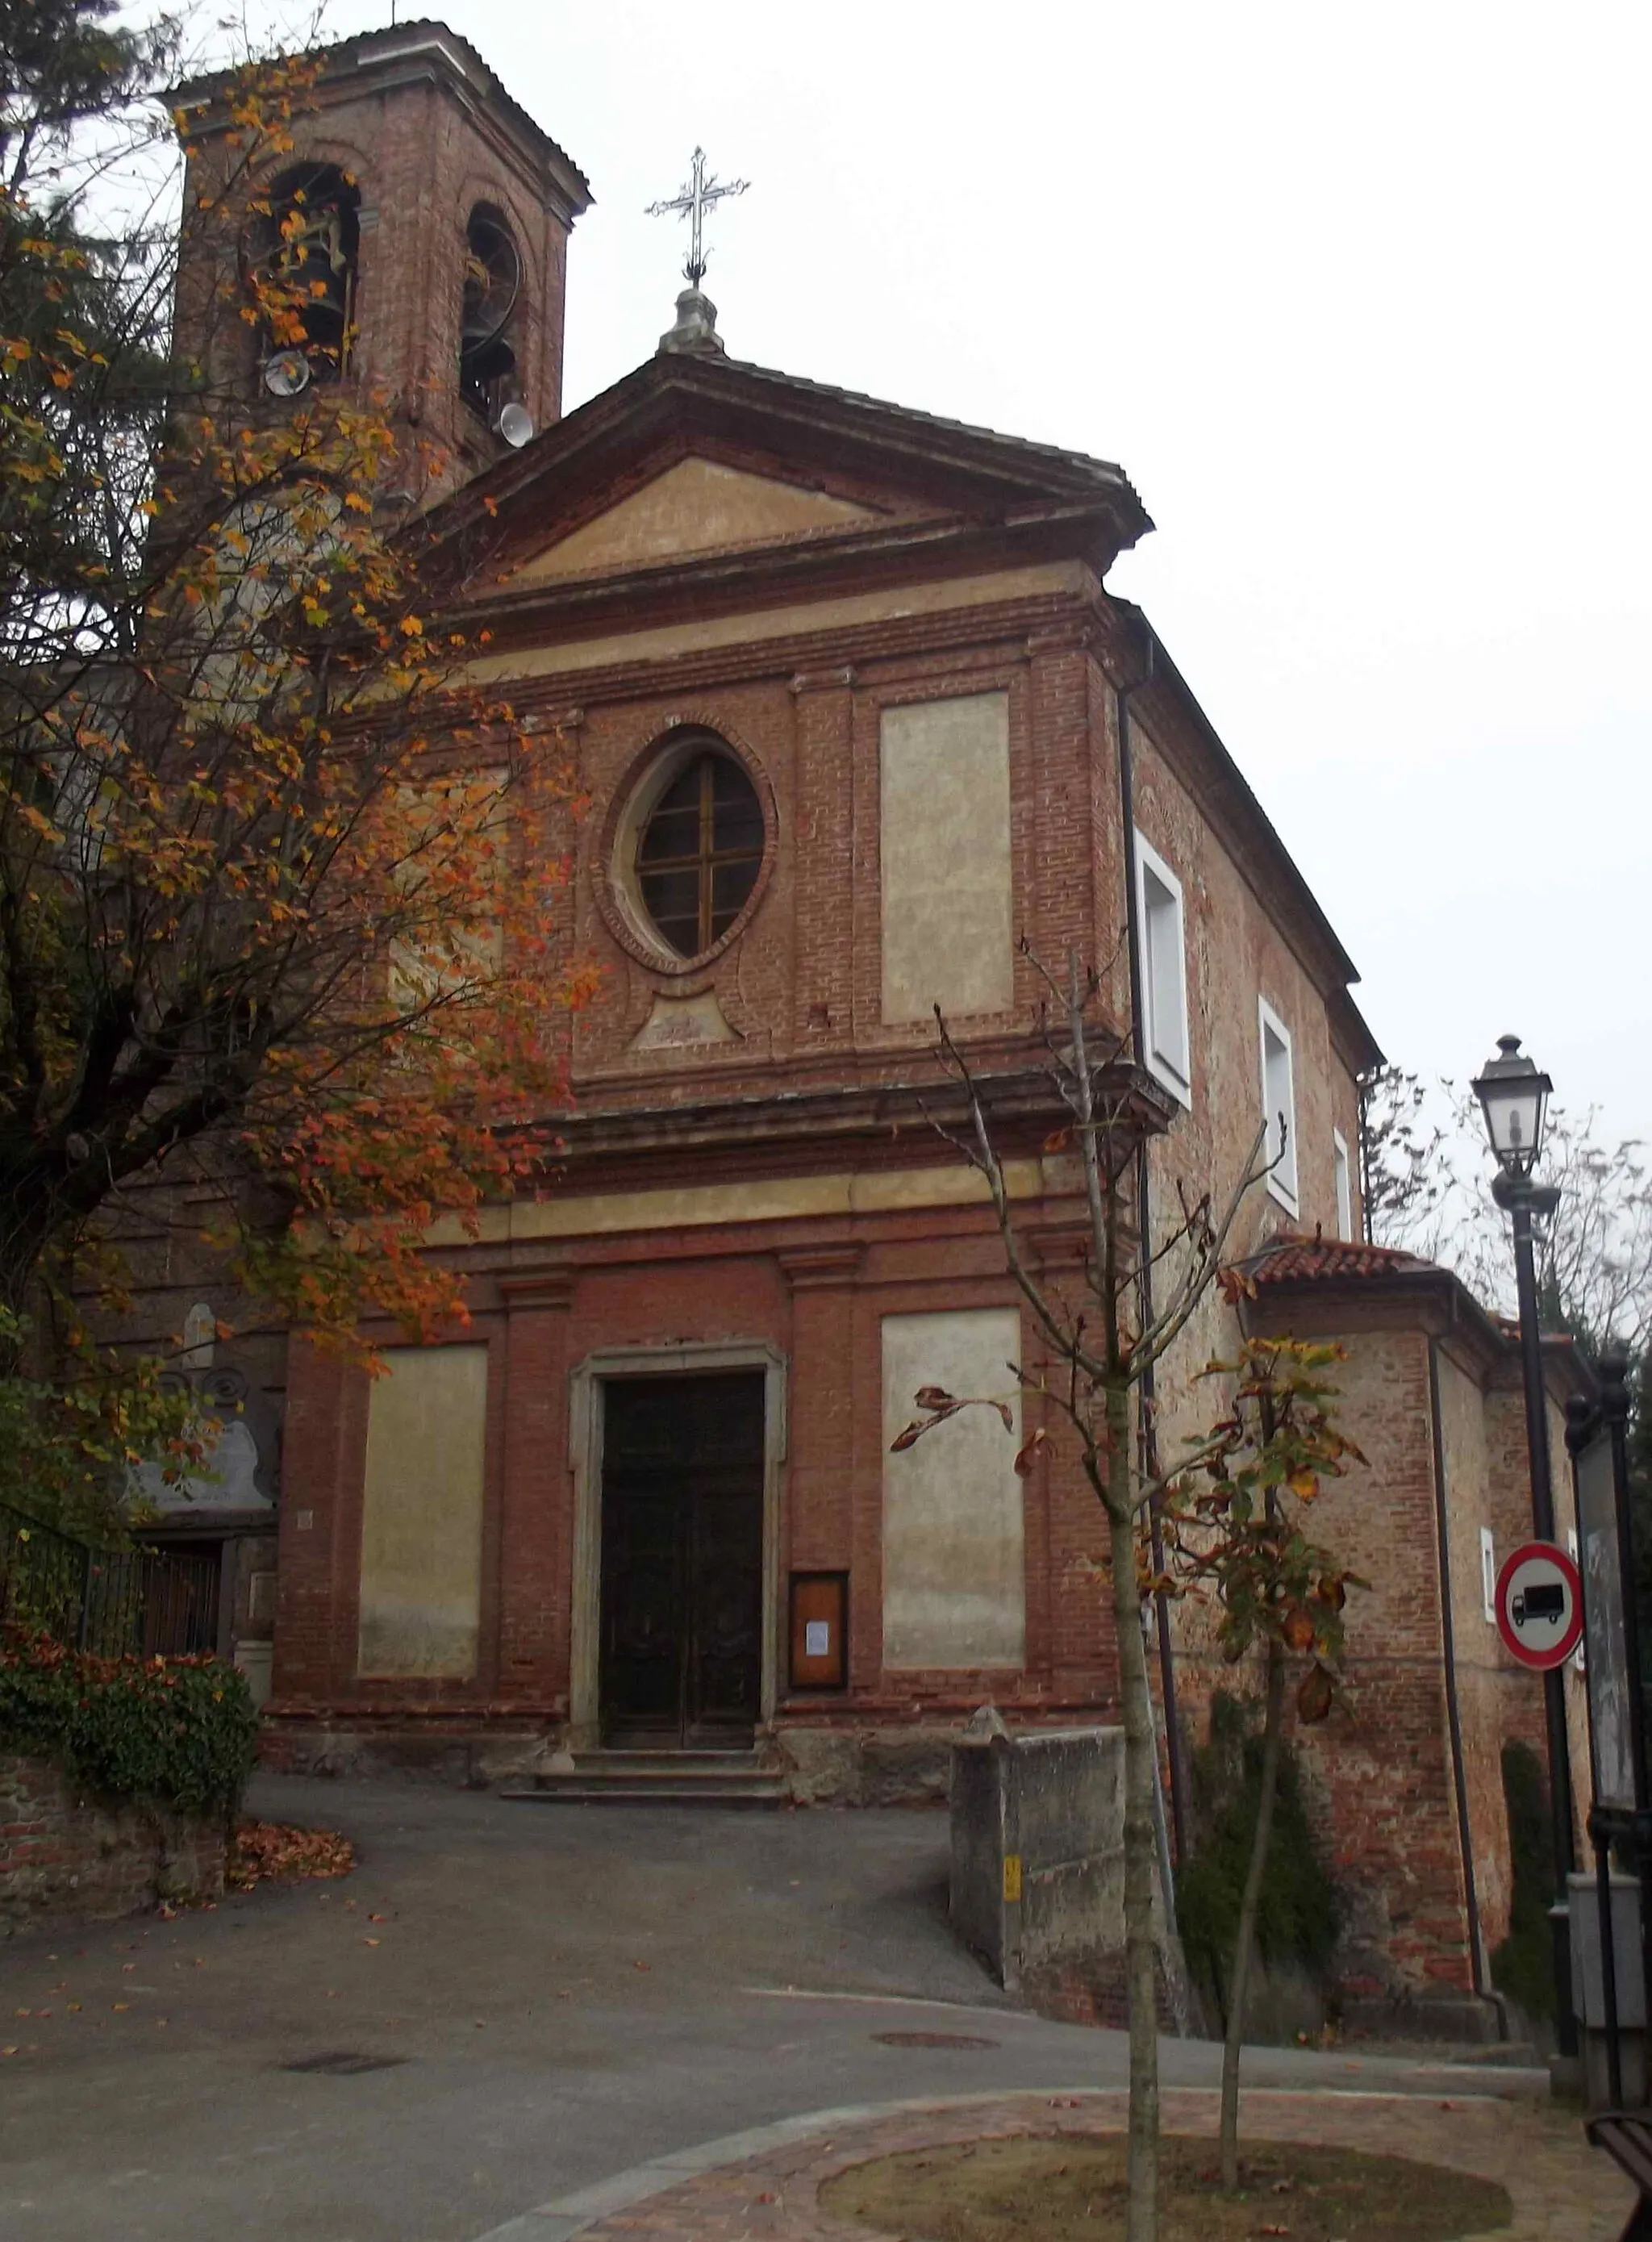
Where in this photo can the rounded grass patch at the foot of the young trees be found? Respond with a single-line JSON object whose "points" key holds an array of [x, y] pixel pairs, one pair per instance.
{"points": [[1073, 2189]]}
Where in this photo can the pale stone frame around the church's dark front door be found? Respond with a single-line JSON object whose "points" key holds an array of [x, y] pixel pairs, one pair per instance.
{"points": [[586, 1465]]}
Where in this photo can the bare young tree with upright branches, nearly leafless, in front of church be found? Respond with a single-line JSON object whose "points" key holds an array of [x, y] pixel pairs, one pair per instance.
{"points": [[1095, 1351]]}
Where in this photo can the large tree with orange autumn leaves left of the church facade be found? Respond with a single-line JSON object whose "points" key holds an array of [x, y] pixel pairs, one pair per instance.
{"points": [[275, 898]]}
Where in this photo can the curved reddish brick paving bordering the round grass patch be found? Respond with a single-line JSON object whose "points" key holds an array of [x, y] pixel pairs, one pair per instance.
{"points": [[763, 2185]]}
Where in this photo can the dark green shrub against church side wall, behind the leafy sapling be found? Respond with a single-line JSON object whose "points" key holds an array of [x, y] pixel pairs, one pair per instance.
{"points": [[1301, 1909]]}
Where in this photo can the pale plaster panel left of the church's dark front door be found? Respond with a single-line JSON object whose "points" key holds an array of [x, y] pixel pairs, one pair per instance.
{"points": [[423, 1514]]}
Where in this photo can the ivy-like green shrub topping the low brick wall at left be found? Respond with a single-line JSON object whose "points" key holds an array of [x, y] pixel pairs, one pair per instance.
{"points": [[160, 1732]]}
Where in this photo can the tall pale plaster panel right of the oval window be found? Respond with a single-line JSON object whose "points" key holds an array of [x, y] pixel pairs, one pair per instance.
{"points": [[945, 858]]}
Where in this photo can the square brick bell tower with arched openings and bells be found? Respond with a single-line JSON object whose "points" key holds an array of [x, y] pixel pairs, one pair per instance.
{"points": [[423, 219]]}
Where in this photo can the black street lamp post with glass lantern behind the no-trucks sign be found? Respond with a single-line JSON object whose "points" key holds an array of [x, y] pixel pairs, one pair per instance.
{"points": [[1514, 1097]]}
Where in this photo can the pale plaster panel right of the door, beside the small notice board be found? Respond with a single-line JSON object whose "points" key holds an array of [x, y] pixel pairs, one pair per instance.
{"points": [[954, 1566]]}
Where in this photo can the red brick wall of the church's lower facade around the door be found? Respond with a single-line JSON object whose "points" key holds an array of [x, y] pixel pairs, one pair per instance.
{"points": [[810, 1290]]}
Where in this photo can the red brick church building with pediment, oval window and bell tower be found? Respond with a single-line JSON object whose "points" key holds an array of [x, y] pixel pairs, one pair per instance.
{"points": [[857, 716]]}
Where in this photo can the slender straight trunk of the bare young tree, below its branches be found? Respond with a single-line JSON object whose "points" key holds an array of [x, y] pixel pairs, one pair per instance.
{"points": [[1142, 1775]]}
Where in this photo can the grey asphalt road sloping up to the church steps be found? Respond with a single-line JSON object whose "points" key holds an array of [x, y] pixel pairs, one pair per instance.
{"points": [[559, 1994]]}
